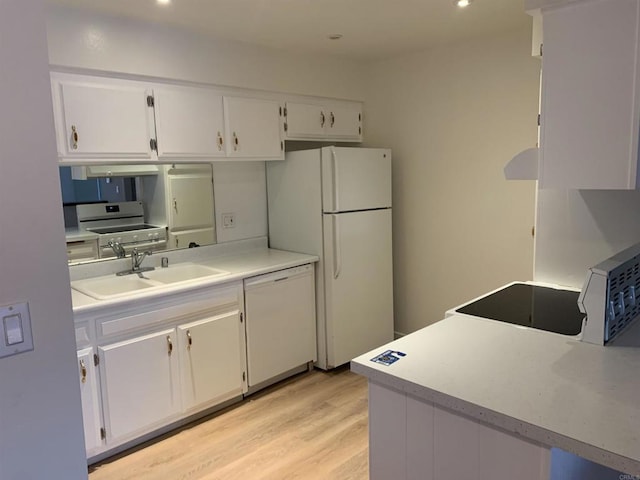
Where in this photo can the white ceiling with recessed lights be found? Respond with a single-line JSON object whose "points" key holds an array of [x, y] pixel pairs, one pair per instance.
{"points": [[371, 29]]}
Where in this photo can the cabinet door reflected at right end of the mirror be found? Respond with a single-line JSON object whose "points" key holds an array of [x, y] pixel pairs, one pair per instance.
{"points": [[191, 201]]}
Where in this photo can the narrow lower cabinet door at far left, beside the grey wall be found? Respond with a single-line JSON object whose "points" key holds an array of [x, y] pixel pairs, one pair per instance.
{"points": [[91, 413]]}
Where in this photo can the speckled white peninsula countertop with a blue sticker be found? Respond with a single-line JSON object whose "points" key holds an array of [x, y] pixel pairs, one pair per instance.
{"points": [[550, 389]]}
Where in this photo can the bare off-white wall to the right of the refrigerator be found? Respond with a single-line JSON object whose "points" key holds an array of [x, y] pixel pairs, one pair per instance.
{"points": [[454, 116]]}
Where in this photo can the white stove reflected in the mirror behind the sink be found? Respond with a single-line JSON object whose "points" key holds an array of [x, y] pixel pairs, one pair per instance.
{"points": [[122, 225]]}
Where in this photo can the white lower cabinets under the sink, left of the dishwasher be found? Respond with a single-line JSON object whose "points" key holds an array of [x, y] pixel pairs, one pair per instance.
{"points": [[159, 363]]}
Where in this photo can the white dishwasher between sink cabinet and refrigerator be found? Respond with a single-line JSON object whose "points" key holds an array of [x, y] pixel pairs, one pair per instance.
{"points": [[280, 321]]}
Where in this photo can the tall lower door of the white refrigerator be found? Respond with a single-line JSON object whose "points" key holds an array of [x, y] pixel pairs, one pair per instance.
{"points": [[358, 283]]}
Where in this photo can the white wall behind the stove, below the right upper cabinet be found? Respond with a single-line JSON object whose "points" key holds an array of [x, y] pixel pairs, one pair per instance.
{"points": [[577, 229]]}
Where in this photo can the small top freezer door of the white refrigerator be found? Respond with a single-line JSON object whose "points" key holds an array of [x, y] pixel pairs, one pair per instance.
{"points": [[355, 179]]}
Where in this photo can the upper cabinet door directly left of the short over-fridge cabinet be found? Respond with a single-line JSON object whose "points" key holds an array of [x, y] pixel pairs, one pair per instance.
{"points": [[253, 128]]}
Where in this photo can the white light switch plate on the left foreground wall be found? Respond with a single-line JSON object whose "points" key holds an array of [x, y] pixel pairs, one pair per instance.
{"points": [[15, 326]]}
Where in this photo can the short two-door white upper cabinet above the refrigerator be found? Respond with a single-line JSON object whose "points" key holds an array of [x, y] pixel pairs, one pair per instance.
{"points": [[340, 121]]}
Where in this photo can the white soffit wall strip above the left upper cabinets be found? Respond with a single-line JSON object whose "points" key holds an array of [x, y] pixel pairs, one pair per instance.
{"points": [[81, 40]]}
